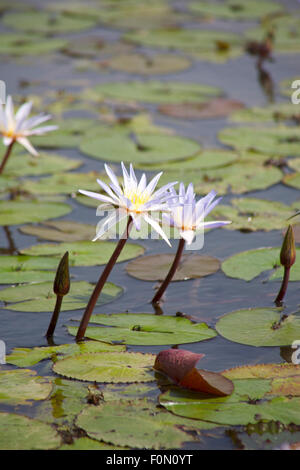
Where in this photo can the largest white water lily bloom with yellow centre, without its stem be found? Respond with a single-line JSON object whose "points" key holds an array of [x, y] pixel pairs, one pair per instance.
{"points": [[133, 198]]}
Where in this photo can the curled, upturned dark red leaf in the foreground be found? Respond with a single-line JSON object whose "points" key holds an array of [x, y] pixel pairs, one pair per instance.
{"points": [[180, 366]]}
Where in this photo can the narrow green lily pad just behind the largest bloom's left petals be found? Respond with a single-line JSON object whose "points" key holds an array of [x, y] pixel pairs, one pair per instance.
{"points": [[65, 183]]}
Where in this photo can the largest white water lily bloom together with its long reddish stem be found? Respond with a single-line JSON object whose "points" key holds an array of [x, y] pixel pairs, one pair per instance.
{"points": [[133, 200]]}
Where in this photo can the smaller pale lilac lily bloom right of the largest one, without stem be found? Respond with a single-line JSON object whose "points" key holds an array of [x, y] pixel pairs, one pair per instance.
{"points": [[188, 216]]}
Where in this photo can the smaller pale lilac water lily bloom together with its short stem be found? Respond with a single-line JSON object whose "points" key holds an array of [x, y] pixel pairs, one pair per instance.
{"points": [[187, 216]]}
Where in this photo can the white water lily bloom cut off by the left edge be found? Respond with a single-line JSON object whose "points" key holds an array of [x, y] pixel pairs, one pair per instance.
{"points": [[18, 127]]}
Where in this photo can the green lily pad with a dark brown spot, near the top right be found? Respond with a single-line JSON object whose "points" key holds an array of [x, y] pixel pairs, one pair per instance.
{"points": [[209, 45]]}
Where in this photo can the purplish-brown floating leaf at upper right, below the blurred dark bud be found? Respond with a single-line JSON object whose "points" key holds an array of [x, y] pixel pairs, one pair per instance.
{"points": [[220, 107]]}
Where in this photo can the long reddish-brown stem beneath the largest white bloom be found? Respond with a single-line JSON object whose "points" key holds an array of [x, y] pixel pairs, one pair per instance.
{"points": [[100, 284]]}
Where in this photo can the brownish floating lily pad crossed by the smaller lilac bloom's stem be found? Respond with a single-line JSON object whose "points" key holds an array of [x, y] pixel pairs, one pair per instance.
{"points": [[156, 267]]}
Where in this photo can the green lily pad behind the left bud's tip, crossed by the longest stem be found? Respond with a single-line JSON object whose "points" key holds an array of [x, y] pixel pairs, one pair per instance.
{"points": [[85, 253]]}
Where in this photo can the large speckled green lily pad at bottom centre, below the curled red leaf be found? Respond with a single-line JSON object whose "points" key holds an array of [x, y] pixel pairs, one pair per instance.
{"points": [[138, 424]]}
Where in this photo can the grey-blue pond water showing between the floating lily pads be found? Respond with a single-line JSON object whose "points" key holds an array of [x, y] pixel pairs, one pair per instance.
{"points": [[205, 299]]}
